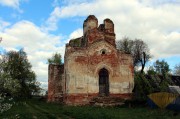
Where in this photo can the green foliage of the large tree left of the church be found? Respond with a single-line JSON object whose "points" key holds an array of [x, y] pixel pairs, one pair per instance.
{"points": [[16, 70]]}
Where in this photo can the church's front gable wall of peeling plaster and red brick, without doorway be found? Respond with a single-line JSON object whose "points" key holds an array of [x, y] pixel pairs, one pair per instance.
{"points": [[82, 70]]}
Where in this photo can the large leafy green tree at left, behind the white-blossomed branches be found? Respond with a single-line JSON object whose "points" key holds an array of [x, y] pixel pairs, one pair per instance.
{"points": [[17, 67]]}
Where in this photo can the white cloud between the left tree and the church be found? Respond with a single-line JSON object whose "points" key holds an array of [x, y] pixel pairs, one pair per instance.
{"points": [[37, 44]]}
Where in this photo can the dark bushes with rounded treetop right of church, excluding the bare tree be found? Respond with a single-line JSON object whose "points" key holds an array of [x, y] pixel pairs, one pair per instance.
{"points": [[157, 79]]}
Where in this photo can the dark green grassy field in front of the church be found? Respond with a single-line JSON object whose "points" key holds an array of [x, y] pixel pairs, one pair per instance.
{"points": [[35, 109]]}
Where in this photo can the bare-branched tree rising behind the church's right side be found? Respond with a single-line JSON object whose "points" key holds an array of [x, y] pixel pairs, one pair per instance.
{"points": [[138, 49]]}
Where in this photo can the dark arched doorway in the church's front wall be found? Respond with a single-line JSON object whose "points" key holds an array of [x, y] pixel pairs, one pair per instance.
{"points": [[103, 82]]}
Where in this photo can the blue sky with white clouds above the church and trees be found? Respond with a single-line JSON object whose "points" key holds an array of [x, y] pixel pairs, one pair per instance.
{"points": [[43, 27]]}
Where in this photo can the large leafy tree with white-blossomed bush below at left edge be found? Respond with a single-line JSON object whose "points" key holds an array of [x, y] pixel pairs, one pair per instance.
{"points": [[17, 80]]}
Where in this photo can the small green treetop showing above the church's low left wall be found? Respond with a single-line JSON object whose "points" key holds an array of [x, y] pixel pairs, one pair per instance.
{"points": [[55, 59]]}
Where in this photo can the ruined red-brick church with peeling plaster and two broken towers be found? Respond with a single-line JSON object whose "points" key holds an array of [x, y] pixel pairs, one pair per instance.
{"points": [[92, 68]]}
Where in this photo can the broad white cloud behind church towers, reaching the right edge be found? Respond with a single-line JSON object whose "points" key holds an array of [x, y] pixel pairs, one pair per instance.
{"points": [[157, 23]]}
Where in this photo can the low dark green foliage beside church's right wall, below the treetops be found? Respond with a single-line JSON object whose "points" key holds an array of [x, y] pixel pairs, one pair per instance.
{"points": [[147, 84]]}
